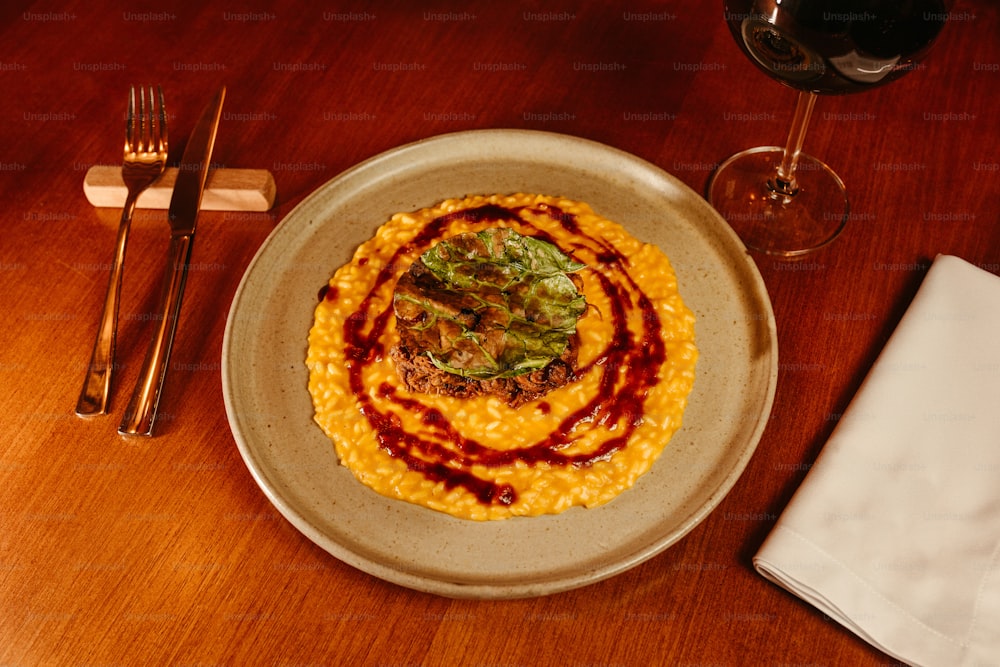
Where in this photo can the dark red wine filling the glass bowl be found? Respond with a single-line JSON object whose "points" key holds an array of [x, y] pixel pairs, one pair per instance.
{"points": [[835, 46]]}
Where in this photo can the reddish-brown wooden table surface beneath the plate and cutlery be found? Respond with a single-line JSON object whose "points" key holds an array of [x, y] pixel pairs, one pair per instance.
{"points": [[166, 552]]}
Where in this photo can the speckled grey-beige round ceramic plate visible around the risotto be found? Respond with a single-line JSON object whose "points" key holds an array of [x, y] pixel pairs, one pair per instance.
{"points": [[269, 408]]}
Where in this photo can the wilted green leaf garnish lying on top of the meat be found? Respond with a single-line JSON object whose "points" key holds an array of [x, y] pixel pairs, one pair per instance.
{"points": [[500, 304]]}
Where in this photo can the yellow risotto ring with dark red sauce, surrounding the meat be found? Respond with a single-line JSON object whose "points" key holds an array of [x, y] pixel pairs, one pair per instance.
{"points": [[583, 443]]}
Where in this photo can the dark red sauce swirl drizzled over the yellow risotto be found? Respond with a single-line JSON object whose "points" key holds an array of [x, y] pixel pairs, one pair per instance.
{"points": [[628, 368]]}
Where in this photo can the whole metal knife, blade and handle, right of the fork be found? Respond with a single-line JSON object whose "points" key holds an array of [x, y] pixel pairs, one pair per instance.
{"points": [[140, 416]]}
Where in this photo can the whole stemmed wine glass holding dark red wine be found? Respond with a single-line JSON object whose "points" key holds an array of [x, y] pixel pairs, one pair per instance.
{"points": [[779, 200]]}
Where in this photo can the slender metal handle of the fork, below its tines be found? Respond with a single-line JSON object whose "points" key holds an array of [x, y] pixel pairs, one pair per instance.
{"points": [[93, 399]]}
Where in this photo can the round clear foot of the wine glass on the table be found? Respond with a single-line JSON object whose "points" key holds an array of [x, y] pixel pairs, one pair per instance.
{"points": [[772, 223]]}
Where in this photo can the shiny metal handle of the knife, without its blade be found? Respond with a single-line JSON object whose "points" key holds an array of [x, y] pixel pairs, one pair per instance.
{"points": [[140, 416]]}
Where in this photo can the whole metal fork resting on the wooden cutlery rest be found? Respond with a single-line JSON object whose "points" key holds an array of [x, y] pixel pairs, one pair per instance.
{"points": [[144, 160]]}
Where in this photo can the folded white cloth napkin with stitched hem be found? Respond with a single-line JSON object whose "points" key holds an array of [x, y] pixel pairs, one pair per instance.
{"points": [[895, 531]]}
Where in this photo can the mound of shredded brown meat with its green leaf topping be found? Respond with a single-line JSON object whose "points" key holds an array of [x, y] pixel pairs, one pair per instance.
{"points": [[492, 312]]}
